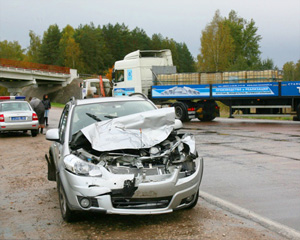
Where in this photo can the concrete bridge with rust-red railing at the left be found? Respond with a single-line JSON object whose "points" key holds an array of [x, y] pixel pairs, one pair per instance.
{"points": [[14, 75]]}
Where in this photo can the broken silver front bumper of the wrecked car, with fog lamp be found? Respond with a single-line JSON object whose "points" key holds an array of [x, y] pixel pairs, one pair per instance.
{"points": [[132, 193]]}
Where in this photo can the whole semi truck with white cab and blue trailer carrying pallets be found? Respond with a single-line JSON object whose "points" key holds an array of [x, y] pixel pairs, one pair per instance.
{"points": [[195, 95]]}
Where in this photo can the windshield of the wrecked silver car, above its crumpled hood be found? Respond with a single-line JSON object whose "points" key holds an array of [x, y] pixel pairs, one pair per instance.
{"points": [[87, 114]]}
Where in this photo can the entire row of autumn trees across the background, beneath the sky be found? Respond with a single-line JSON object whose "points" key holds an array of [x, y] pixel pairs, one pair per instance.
{"points": [[227, 44]]}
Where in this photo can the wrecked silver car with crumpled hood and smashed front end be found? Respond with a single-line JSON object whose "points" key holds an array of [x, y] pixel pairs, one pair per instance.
{"points": [[122, 155]]}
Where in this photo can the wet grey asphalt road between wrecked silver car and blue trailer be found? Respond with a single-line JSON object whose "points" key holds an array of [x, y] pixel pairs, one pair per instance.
{"points": [[254, 164]]}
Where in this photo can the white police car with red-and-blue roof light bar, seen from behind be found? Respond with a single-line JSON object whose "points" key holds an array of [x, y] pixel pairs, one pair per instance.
{"points": [[17, 115]]}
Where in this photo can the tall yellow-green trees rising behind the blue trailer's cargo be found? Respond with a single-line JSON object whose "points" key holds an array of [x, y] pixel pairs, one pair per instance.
{"points": [[233, 44]]}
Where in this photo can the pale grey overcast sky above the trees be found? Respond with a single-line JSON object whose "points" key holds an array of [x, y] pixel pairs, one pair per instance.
{"points": [[278, 21]]}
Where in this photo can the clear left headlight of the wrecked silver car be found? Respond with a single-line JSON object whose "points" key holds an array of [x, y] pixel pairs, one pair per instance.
{"points": [[80, 167]]}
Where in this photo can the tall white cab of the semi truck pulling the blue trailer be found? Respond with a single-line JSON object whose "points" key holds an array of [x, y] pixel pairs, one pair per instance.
{"points": [[135, 73]]}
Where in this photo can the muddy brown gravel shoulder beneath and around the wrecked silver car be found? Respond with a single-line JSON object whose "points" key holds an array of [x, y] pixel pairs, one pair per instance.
{"points": [[29, 207]]}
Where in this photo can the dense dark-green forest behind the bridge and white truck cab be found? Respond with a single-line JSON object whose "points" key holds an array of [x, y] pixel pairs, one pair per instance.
{"points": [[93, 50]]}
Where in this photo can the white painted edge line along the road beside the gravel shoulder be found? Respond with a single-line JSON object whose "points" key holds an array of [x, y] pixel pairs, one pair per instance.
{"points": [[242, 212]]}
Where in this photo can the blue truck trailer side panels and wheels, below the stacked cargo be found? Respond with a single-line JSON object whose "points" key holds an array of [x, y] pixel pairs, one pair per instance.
{"points": [[248, 99]]}
